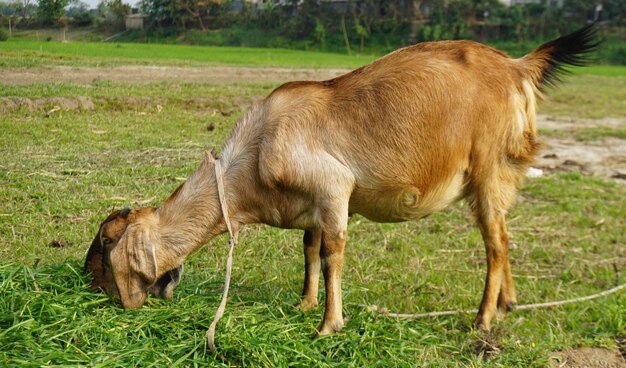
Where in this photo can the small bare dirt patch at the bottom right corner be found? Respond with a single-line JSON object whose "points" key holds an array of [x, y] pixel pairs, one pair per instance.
{"points": [[588, 358]]}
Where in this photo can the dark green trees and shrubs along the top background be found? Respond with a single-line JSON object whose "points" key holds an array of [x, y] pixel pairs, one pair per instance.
{"points": [[351, 26]]}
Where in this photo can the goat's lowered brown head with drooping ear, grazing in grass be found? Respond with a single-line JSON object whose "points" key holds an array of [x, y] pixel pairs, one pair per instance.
{"points": [[123, 241]]}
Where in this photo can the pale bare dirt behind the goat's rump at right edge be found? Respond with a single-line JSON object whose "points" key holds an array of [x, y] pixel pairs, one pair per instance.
{"points": [[605, 157]]}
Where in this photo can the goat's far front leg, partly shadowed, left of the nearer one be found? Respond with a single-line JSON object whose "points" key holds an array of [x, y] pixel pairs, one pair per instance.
{"points": [[312, 241]]}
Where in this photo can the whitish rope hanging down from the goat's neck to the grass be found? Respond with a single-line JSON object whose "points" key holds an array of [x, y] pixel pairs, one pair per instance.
{"points": [[229, 263]]}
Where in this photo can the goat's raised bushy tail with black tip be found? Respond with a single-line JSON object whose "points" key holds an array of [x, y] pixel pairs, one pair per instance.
{"points": [[548, 62]]}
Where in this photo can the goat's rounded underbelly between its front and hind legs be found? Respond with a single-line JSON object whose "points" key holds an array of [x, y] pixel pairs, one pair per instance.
{"points": [[404, 202]]}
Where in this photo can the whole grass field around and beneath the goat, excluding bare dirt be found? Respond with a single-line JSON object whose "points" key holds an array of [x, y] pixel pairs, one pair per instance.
{"points": [[60, 175]]}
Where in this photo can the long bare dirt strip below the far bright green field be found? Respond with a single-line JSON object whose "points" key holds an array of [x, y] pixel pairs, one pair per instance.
{"points": [[150, 74]]}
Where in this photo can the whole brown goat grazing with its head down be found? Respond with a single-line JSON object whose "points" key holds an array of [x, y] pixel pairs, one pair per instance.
{"points": [[395, 140]]}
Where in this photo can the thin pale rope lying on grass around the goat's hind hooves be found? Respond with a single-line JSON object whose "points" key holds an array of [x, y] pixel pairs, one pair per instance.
{"points": [[385, 311]]}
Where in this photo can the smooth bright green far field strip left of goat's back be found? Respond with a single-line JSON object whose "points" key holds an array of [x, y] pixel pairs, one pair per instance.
{"points": [[26, 53]]}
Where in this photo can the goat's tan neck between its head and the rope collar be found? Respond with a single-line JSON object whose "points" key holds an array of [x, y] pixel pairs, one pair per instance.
{"points": [[189, 217]]}
